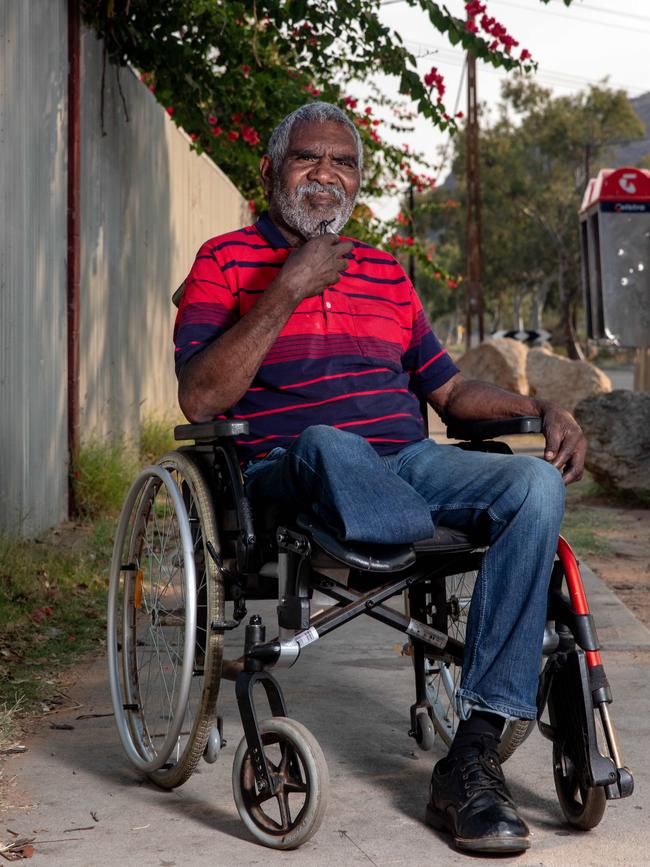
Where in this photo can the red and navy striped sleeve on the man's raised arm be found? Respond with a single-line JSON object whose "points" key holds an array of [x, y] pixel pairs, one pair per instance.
{"points": [[207, 309]]}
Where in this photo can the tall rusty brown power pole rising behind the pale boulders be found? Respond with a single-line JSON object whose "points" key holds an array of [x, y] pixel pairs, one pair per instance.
{"points": [[474, 287]]}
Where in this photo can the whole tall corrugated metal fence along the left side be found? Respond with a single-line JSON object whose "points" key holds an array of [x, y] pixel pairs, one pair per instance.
{"points": [[147, 203]]}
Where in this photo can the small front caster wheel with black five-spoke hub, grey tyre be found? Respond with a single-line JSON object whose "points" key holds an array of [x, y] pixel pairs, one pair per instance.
{"points": [[294, 813]]}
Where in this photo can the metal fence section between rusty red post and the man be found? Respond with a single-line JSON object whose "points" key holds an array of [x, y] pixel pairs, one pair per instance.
{"points": [[148, 202]]}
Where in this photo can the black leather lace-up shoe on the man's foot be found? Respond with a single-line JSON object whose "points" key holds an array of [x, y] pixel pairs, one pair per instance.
{"points": [[470, 800]]}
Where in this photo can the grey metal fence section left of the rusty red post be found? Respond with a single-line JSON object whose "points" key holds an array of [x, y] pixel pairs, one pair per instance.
{"points": [[33, 135]]}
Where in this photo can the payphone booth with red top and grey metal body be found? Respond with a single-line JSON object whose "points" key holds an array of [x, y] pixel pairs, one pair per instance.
{"points": [[615, 247]]}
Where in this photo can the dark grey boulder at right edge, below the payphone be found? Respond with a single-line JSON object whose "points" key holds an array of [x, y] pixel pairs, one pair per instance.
{"points": [[617, 427]]}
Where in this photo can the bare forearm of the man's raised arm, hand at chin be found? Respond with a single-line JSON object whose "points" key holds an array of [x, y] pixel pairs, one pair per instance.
{"points": [[216, 378]]}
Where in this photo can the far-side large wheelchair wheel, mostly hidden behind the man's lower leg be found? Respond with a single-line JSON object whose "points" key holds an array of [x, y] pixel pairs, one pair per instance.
{"points": [[443, 678]]}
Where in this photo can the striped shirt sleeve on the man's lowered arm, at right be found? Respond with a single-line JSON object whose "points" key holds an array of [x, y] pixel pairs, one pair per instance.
{"points": [[426, 360]]}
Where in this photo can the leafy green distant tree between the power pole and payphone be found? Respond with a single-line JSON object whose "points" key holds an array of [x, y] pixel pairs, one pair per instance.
{"points": [[536, 158]]}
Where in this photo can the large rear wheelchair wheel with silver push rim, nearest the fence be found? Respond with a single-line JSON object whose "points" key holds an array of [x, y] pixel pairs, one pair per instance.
{"points": [[165, 590]]}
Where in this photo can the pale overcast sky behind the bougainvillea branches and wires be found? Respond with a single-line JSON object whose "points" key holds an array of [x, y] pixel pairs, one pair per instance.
{"points": [[575, 46]]}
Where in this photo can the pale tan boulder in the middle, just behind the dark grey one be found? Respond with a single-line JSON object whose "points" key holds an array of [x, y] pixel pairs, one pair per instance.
{"points": [[565, 382]]}
